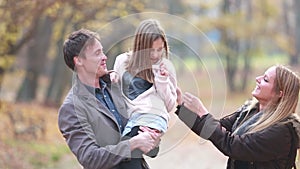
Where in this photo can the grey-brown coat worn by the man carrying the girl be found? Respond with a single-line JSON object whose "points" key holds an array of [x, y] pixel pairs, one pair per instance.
{"points": [[90, 130]]}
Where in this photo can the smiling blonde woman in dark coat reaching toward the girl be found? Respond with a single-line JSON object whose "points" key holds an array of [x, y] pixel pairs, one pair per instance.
{"points": [[263, 133]]}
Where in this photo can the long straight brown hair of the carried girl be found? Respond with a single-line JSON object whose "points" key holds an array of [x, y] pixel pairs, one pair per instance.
{"points": [[139, 63]]}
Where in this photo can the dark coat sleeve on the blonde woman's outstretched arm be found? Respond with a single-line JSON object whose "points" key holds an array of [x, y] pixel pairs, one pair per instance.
{"points": [[269, 144]]}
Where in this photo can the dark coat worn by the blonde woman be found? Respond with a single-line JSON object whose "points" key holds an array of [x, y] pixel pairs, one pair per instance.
{"points": [[272, 148]]}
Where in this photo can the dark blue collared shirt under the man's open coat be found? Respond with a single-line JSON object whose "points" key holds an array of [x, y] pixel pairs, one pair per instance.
{"points": [[104, 97]]}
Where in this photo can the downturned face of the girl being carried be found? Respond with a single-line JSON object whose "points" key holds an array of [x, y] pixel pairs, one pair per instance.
{"points": [[157, 51]]}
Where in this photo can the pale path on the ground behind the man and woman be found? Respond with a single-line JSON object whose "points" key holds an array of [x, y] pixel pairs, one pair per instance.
{"points": [[179, 149]]}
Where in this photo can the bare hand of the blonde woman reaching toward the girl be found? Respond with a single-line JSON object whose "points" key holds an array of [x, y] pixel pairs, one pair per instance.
{"points": [[194, 104]]}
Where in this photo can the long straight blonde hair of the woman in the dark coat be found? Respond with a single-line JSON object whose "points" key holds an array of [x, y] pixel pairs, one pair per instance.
{"points": [[278, 109]]}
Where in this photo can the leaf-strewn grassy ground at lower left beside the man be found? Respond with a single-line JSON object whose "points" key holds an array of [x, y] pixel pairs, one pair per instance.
{"points": [[25, 150]]}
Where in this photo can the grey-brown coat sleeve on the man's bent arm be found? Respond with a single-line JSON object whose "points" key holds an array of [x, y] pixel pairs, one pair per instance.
{"points": [[81, 140]]}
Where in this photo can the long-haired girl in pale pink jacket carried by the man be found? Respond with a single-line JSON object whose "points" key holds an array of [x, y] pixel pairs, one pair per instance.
{"points": [[148, 82]]}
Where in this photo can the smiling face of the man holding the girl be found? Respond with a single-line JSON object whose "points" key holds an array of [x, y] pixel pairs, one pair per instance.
{"points": [[94, 62]]}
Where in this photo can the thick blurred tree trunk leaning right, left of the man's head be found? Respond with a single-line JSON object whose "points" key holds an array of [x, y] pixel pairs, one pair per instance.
{"points": [[36, 59]]}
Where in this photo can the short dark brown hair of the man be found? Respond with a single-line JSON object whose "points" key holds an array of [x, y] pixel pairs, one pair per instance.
{"points": [[76, 44]]}
